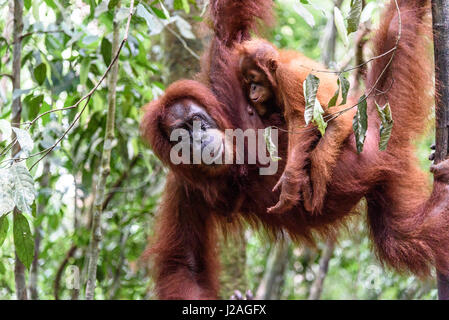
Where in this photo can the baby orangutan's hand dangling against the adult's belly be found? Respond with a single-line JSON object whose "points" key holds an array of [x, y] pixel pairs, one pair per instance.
{"points": [[290, 192]]}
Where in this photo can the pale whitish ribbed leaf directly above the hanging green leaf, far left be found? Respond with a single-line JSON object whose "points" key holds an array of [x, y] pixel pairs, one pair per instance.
{"points": [[23, 191]]}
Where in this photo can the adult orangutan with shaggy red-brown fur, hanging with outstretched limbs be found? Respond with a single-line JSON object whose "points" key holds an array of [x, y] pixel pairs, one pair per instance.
{"points": [[409, 227]]}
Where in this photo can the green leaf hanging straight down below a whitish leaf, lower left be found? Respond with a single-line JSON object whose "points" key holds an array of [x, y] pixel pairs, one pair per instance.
{"points": [[23, 240]]}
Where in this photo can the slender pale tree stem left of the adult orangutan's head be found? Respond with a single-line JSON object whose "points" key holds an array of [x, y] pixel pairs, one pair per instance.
{"points": [[104, 170]]}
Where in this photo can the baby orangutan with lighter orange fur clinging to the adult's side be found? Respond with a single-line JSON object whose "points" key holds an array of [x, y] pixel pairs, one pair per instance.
{"points": [[273, 79]]}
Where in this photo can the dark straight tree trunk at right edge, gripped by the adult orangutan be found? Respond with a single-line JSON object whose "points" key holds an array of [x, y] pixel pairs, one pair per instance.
{"points": [[440, 12]]}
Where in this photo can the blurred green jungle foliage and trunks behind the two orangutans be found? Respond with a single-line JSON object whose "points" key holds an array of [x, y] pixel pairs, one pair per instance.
{"points": [[53, 55]]}
